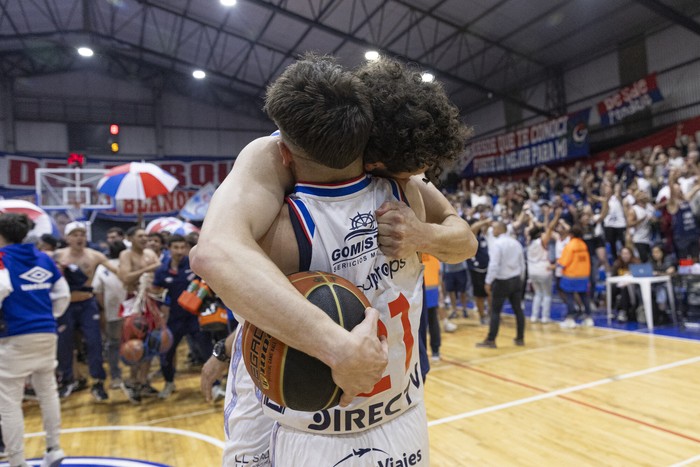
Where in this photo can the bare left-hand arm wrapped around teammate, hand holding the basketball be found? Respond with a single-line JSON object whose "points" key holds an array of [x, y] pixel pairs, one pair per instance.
{"points": [[232, 262]]}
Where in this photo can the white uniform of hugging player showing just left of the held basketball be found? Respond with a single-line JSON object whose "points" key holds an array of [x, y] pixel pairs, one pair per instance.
{"points": [[247, 428]]}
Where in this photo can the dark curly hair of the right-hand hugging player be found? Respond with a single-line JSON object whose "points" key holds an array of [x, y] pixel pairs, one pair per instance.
{"points": [[415, 124]]}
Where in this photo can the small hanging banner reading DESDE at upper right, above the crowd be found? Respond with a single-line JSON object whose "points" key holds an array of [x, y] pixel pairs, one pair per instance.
{"points": [[629, 100]]}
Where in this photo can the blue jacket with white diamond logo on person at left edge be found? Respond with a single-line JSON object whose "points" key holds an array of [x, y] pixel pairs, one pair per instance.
{"points": [[28, 308]]}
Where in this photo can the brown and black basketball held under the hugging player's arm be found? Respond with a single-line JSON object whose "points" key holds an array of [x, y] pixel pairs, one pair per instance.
{"points": [[292, 378]]}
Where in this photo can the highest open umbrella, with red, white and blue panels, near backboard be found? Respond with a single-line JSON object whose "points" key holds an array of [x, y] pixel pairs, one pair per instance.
{"points": [[136, 180]]}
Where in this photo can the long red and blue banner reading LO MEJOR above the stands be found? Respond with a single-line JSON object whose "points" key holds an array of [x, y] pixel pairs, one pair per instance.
{"points": [[554, 141]]}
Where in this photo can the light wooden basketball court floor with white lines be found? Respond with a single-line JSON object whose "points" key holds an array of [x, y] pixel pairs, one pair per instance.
{"points": [[588, 396]]}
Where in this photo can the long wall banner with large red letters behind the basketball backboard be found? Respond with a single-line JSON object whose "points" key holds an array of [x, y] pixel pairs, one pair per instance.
{"points": [[17, 180]]}
